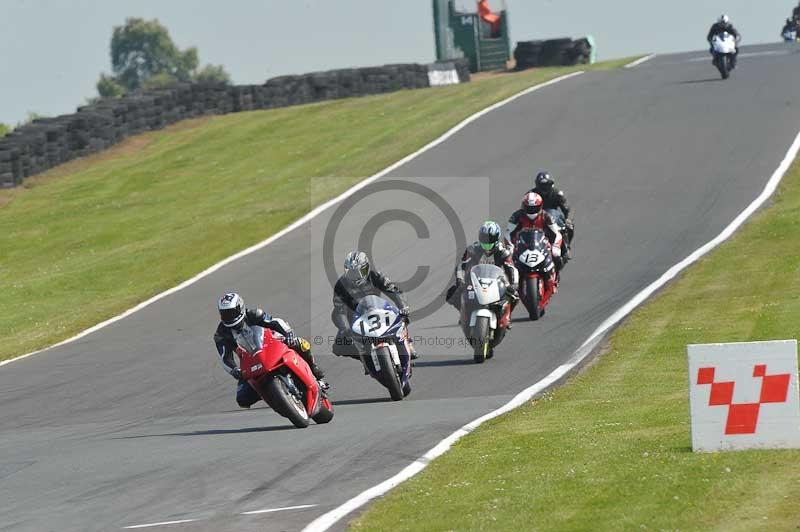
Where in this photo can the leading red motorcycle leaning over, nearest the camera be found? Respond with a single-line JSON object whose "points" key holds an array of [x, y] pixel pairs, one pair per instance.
{"points": [[281, 377]]}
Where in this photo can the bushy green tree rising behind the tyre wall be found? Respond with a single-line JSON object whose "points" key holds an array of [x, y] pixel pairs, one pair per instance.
{"points": [[143, 56]]}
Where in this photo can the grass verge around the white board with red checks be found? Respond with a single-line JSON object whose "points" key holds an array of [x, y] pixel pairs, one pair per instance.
{"points": [[612, 449]]}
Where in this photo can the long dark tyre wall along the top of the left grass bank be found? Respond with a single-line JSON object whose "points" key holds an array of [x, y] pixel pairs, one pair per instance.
{"points": [[48, 142]]}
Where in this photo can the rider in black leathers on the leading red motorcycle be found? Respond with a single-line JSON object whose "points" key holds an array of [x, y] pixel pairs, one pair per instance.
{"points": [[233, 315]]}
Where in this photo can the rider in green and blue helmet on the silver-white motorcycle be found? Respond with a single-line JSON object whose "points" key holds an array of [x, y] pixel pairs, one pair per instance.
{"points": [[489, 249]]}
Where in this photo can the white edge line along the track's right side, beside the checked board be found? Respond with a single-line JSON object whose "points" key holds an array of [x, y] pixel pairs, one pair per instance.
{"points": [[325, 521]]}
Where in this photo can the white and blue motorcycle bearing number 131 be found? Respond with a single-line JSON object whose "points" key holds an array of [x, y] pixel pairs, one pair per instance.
{"points": [[381, 337]]}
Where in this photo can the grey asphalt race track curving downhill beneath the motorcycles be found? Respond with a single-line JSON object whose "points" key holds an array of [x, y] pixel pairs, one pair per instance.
{"points": [[137, 424]]}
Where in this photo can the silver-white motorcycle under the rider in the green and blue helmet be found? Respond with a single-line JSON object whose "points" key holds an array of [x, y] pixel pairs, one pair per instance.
{"points": [[485, 312]]}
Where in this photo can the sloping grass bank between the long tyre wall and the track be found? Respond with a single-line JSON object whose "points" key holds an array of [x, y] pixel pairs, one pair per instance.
{"points": [[90, 239]]}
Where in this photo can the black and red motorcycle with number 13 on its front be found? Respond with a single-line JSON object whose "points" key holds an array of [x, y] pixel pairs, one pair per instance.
{"points": [[537, 273]]}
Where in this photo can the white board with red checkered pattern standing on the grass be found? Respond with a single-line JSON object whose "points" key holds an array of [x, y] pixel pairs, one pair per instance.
{"points": [[744, 395]]}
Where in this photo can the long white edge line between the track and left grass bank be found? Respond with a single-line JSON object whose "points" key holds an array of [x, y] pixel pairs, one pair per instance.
{"points": [[301, 221]]}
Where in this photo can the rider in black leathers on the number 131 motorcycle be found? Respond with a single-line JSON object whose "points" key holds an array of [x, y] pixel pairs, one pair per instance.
{"points": [[359, 281]]}
